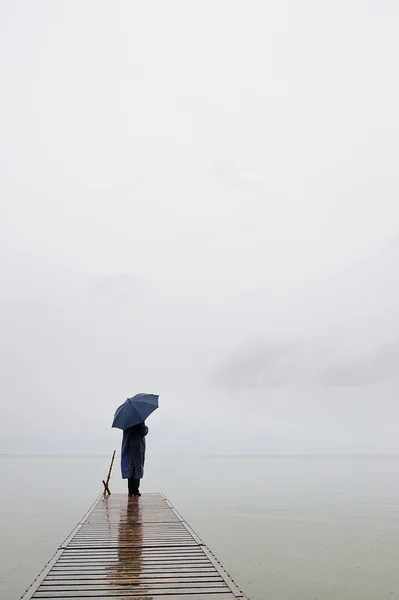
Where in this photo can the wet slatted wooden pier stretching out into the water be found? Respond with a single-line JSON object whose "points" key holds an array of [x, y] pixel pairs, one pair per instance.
{"points": [[133, 549]]}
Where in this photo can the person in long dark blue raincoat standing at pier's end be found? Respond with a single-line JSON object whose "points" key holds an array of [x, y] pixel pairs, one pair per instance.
{"points": [[133, 456]]}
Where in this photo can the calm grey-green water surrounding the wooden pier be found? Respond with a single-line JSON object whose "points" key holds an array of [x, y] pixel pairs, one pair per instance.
{"points": [[285, 528]]}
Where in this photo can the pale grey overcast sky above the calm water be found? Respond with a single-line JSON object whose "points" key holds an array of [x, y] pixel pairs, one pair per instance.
{"points": [[200, 200]]}
